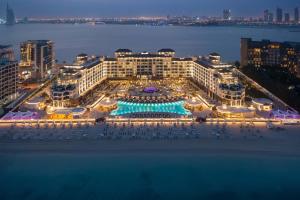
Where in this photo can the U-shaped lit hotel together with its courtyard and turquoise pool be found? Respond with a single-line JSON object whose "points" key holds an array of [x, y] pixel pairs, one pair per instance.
{"points": [[142, 84]]}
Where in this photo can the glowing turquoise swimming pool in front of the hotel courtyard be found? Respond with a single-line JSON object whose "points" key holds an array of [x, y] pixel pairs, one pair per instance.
{"points": [[129, 108]]}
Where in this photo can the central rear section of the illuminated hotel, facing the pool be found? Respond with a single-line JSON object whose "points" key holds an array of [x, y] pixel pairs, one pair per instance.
{"points": [[162, 64]]}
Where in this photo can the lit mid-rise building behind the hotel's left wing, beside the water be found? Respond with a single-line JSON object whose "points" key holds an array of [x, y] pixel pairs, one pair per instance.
{"points": [[37, 59]]}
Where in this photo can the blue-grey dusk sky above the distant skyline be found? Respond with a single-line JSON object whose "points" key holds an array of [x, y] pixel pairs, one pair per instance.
{"points": [[44, 8]]}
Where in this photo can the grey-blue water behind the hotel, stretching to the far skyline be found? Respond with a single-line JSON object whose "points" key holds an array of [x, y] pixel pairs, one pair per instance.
{"points": [[71, 40]]}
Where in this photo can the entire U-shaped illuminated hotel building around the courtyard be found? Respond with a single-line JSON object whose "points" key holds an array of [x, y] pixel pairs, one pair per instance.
{"points": [[215, 77]]}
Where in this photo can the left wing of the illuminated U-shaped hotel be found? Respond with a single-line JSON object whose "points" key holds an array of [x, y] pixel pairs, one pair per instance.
{"points": [[76, 80]]}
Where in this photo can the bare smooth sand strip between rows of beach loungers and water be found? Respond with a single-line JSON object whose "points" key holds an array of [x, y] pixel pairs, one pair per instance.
{"points": [[203, 147]]}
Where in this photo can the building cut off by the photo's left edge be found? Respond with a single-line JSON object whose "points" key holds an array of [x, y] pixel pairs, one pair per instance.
{"points": [[8, 75]]}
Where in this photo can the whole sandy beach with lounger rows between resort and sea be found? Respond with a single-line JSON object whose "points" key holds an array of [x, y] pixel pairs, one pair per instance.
{"points": [[194, 139]]}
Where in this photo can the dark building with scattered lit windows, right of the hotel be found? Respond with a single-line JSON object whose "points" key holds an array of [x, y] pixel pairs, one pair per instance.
{"points": [[268, 53]]}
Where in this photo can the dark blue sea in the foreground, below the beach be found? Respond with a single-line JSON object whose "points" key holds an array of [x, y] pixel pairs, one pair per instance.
{"points": [[141, 177]]}
